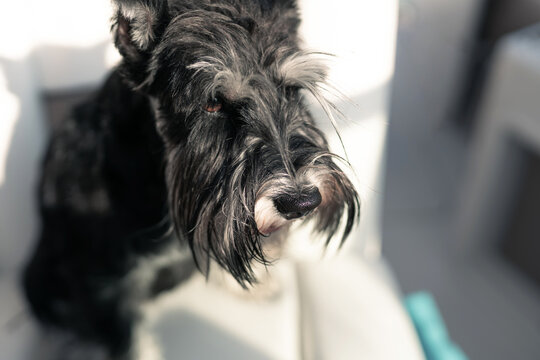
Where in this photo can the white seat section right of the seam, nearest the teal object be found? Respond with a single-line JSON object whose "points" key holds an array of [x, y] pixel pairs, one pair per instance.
{"points": [[350, 304]]}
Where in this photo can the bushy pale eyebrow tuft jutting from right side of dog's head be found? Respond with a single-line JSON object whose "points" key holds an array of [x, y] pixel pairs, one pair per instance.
{"points": [[303, 70]]}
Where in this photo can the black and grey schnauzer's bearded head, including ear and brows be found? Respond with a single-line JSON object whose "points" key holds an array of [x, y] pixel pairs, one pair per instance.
{"points": [[243, 155]]}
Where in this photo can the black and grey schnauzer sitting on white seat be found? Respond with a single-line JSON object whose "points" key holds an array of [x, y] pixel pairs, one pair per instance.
{"points": [[198, 152]]}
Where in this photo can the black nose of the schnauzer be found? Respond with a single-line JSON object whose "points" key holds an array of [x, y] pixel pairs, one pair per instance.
{"points": [[298, 205]]}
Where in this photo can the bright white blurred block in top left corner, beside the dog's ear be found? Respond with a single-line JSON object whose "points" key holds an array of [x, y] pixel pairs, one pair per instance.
{"points": [[66, 40]]}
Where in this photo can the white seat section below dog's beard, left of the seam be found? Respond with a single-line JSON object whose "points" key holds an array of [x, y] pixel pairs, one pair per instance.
{"points": [[201, 320]]}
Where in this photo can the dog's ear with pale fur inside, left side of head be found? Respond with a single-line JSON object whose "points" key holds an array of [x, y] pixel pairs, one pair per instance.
{"points": [[137, 27]]}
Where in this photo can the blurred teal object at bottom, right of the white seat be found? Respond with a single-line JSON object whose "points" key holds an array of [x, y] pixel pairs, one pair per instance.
{"points": [[431, 329]]}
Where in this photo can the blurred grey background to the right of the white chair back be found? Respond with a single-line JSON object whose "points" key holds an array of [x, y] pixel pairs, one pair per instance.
{"points": [[461, 211]]}
